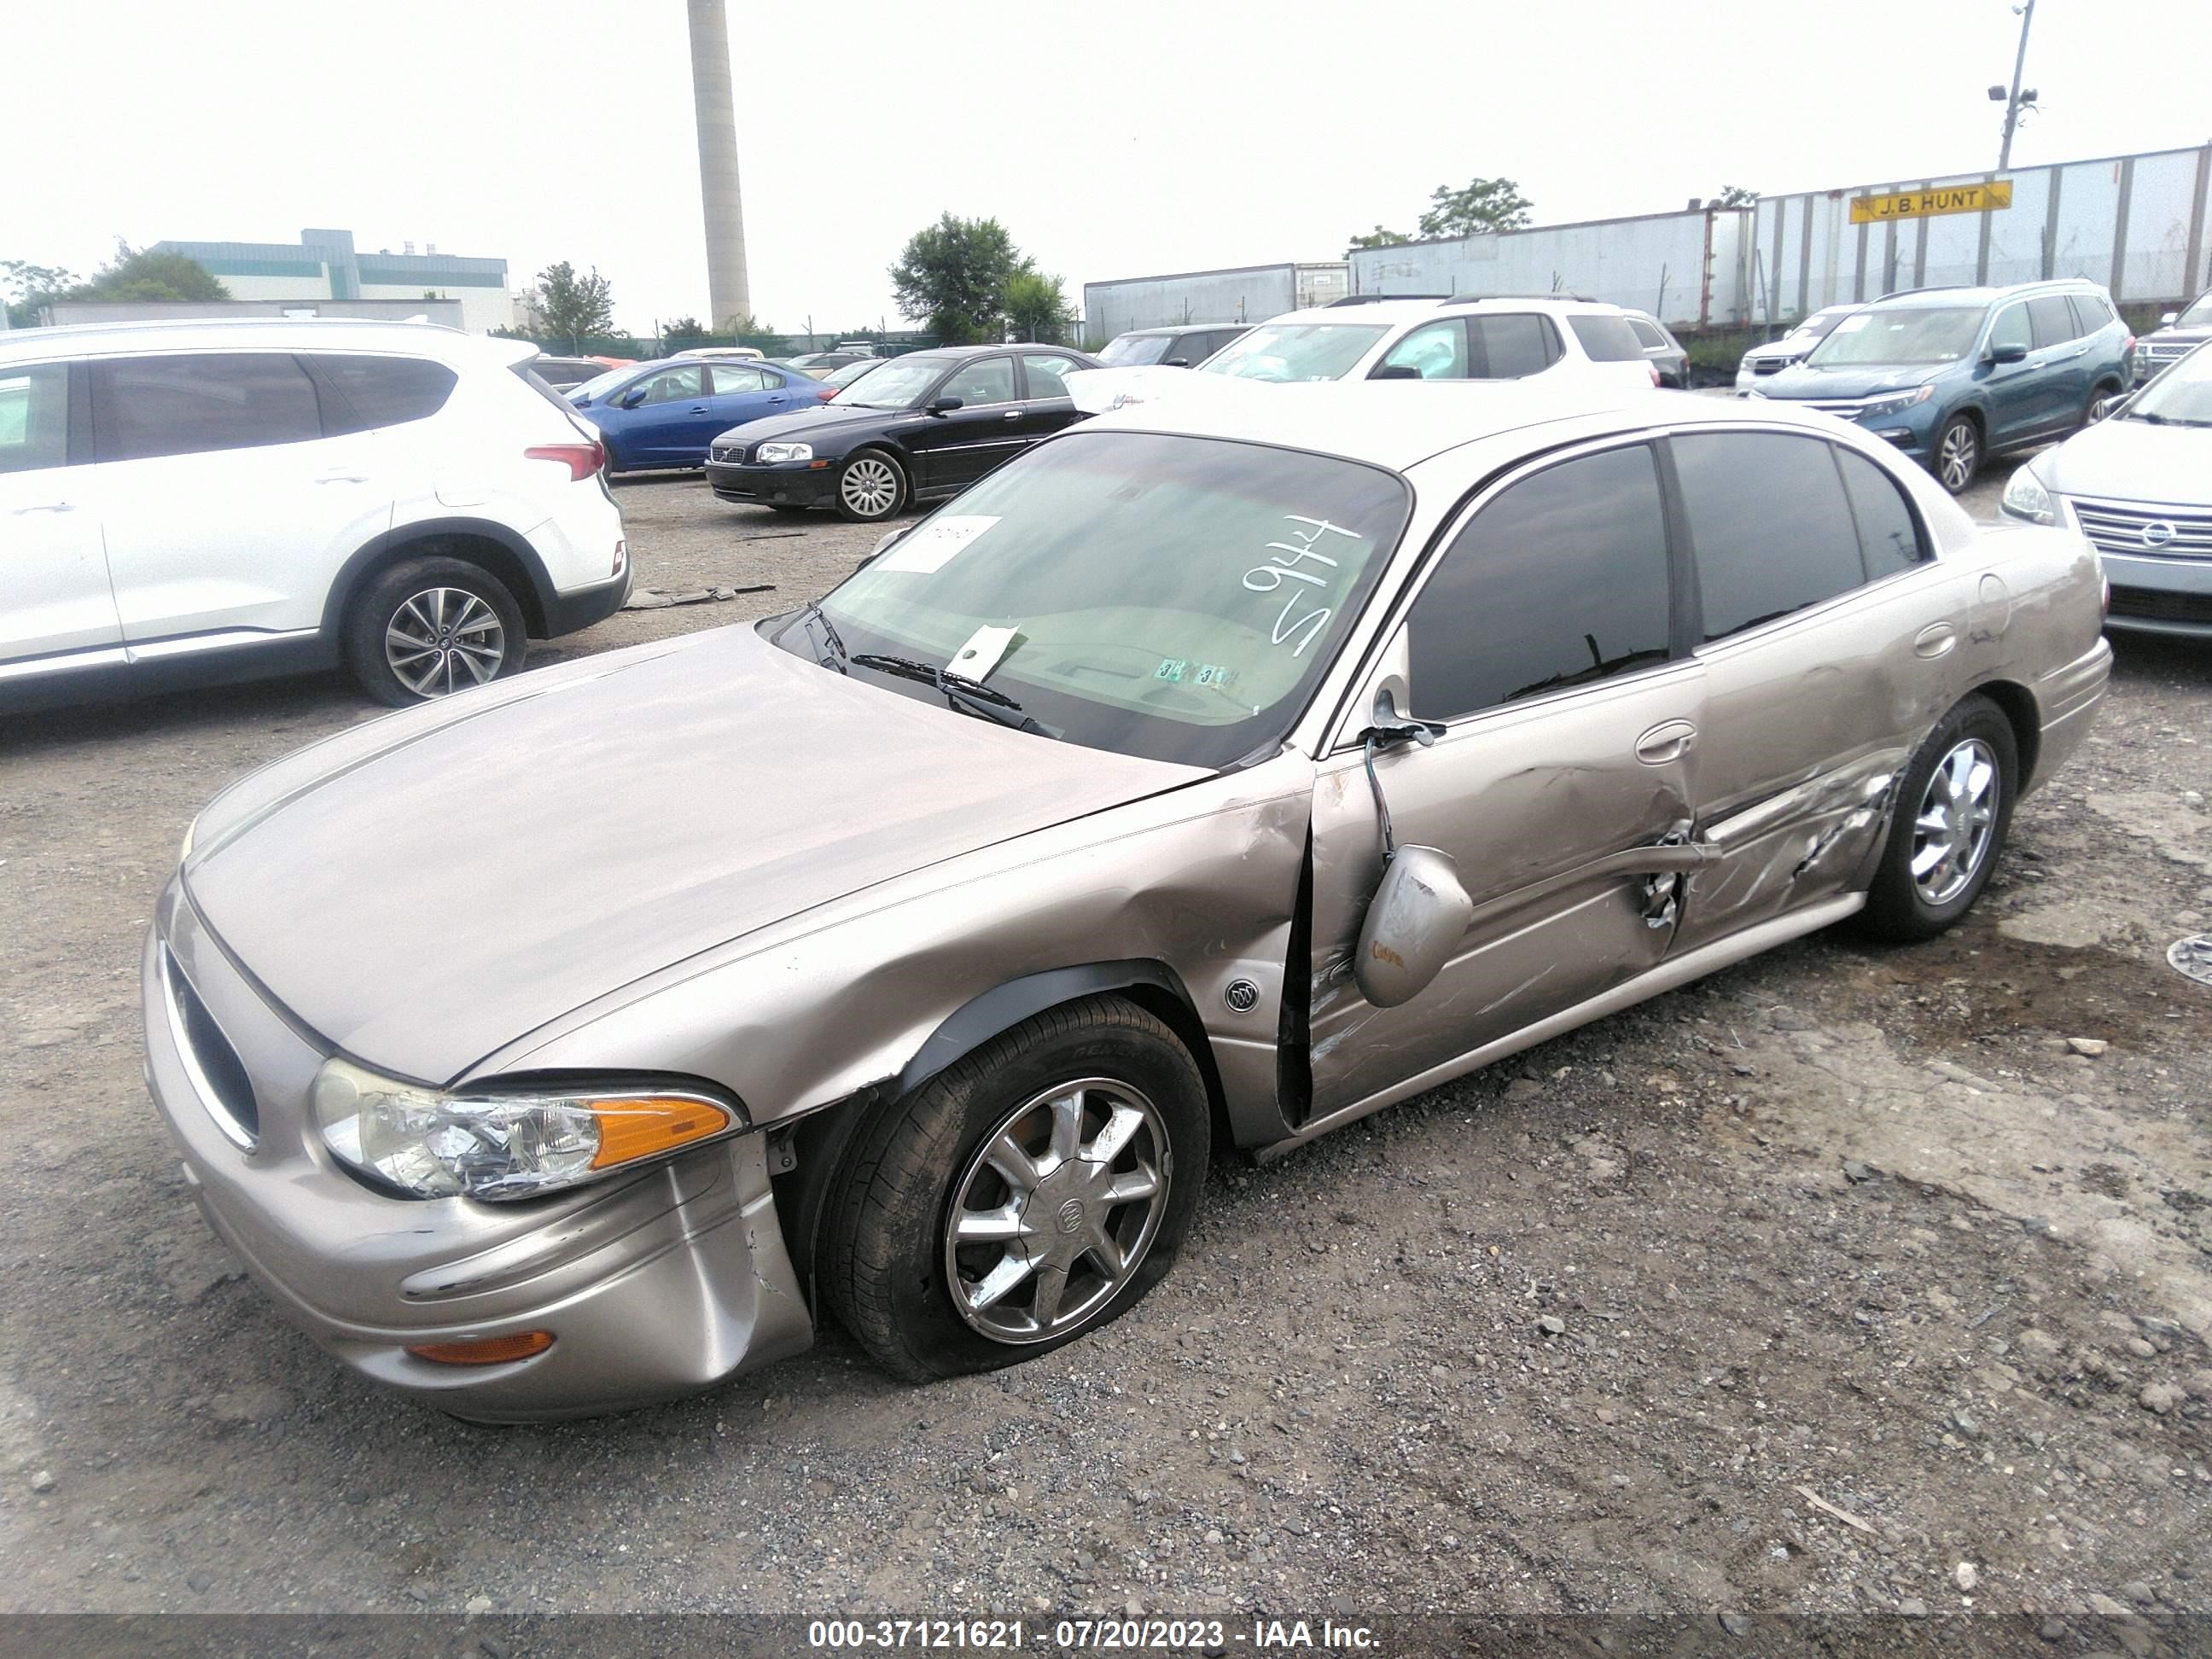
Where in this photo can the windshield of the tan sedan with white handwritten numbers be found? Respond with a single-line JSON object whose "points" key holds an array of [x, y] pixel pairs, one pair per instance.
{"points": [[1158, 596]]}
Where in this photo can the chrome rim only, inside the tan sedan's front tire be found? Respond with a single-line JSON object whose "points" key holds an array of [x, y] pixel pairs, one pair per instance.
{"points": [[1056, 1211]]}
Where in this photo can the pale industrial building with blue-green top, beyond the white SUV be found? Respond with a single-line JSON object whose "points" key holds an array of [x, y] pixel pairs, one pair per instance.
{"points": [[324, 264]]}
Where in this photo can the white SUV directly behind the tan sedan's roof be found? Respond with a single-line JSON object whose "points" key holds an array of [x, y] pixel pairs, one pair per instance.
{"points": [[1461, 340]]}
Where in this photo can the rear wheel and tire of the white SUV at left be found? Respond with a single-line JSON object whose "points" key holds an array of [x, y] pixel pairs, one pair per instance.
{"points": [[432, 627]]}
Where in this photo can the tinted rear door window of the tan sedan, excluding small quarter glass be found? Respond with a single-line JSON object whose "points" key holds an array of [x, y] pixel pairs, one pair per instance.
{"points": [[1771, 525]]}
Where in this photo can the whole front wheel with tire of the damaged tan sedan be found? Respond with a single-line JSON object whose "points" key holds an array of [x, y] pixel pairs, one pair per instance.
{"points": [[1027, 1196]]}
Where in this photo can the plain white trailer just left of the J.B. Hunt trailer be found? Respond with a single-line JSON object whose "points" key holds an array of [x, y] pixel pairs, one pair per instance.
{"points": [[1687, 269]]}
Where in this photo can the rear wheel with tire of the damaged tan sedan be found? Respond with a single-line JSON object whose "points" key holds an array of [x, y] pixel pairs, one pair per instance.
{"points": [[1954, 811]]}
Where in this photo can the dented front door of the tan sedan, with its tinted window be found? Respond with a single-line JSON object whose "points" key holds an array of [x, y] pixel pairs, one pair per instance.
{"points": [[1547, 643]]}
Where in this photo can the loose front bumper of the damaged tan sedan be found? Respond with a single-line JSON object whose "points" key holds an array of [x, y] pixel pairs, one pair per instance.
{"points": [[654, 1286]]}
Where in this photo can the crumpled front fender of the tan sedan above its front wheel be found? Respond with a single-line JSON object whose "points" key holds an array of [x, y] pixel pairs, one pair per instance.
{"points": [[1202, 881]]}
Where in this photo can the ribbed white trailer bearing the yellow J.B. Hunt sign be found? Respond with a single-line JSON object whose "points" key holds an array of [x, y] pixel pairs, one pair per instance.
{"points": [[2131, 222]]}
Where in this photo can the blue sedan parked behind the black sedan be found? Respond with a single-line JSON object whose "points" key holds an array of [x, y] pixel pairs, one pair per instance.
{"points": [[665, 415]]}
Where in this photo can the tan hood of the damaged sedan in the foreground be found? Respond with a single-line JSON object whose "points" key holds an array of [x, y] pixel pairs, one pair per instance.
{"points": [[439, 884]]}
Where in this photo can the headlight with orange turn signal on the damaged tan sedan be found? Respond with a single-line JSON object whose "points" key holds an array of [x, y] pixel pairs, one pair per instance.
{"points": [[494, 1142]]}
